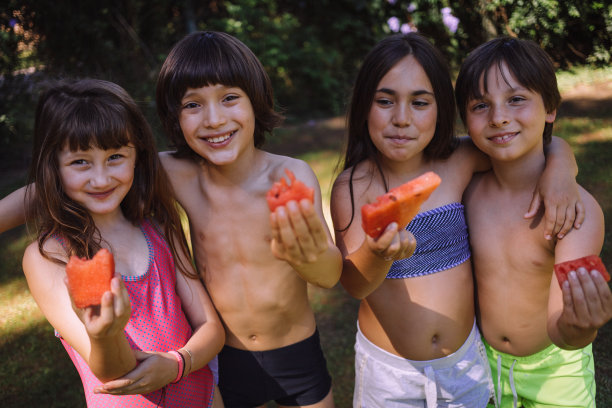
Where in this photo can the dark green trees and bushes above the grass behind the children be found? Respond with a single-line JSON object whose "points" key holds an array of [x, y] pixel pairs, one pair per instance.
{"points": [[311, 49]]}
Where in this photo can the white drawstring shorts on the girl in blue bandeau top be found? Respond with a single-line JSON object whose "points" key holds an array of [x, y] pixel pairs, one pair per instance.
{"points": [[461, 379]]}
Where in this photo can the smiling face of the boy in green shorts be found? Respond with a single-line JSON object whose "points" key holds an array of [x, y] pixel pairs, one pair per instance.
{"points": [[509, 120]]}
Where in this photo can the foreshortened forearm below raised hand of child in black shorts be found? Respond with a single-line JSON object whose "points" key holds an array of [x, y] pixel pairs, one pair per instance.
{"points": [[325, 271]]}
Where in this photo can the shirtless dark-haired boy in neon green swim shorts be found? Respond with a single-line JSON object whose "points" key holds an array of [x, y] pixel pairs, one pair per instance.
{"points": [[538, 333]]}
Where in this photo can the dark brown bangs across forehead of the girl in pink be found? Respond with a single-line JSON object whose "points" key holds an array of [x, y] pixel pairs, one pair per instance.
{"points": [[95, 125]]}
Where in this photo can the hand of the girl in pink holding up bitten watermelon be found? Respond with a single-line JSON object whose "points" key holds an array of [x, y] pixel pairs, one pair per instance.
{"points": [[110, 317]]}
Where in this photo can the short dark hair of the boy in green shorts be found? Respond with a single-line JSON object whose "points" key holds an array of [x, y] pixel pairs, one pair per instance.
{"points": [[529, 64]]}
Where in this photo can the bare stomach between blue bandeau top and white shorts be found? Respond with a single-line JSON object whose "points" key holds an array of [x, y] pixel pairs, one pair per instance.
{"points": [[421, 318]]}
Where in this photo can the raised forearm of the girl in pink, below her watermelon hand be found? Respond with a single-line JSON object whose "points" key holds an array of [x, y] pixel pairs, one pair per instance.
{"points": [[111, 358]]}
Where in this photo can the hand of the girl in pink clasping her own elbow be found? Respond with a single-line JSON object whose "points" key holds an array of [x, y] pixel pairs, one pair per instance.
{"points": [[154, 371]]}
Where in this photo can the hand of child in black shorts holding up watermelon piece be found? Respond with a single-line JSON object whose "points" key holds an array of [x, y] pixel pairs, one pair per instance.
{"points": [[298, 234]]}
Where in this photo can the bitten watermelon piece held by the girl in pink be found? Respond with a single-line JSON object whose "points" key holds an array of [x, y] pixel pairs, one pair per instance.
{"points": [[89, 279]]}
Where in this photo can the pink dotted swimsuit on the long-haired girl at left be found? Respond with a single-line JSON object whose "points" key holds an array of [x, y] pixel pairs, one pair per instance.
{"points": [[157, 323]]}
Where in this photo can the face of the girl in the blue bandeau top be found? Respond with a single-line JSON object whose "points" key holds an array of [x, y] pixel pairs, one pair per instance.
{"points": [[402, 118]]}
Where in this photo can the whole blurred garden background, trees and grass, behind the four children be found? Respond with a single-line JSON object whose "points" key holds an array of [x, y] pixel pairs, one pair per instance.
{"points": [[311, 50]]}
